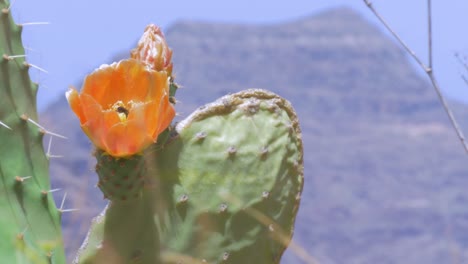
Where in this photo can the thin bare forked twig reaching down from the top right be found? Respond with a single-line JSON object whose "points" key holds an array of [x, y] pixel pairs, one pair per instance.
{"points": [[427, 68]]}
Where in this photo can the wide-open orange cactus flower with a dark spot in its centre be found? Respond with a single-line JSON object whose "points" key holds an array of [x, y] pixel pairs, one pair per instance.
{"points": [[123, 107]]}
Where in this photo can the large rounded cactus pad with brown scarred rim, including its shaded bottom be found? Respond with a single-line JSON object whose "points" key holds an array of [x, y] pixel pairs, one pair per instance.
{"points": [[239, 165]]}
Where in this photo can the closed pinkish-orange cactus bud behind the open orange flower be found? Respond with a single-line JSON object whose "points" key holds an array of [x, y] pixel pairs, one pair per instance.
{"points": [[153, 50]]}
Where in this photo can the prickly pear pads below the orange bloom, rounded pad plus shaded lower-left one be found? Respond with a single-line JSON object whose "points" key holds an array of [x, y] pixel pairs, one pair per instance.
{"points": [[224, 189]]}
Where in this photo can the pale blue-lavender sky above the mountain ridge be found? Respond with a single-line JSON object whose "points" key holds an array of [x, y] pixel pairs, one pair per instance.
{"points": [[84, 34]]}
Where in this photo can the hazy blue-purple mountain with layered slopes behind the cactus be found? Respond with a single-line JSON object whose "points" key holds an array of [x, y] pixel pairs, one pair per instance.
{"points": [[385, 174]]}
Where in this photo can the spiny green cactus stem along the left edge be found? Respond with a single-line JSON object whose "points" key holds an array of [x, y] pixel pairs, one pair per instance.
{"points": [[29, 220]]}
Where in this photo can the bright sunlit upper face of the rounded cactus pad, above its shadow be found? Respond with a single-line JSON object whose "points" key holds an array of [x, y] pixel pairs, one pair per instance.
{"points": [[239, 148]]}
